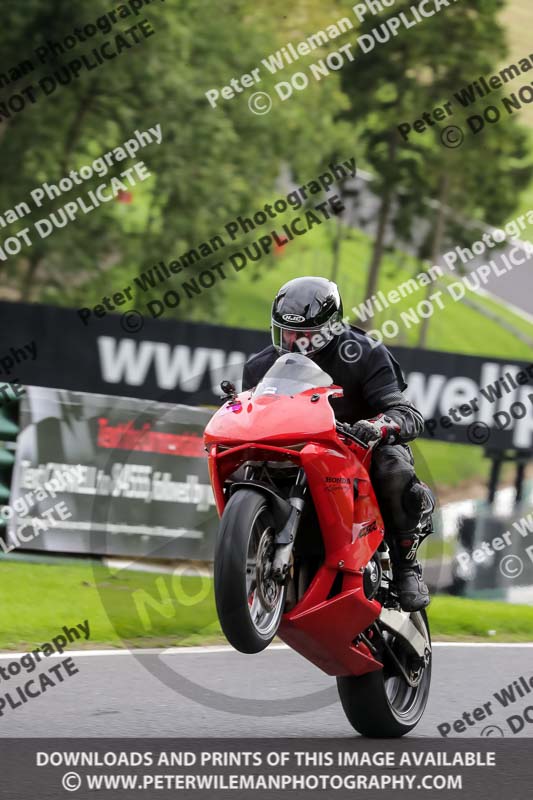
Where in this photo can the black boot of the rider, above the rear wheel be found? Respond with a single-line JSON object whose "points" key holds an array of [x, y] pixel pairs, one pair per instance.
{"points": [[407, 571]]}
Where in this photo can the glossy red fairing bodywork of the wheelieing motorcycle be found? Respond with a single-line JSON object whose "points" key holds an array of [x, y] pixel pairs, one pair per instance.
{"points": [[267, 428]]}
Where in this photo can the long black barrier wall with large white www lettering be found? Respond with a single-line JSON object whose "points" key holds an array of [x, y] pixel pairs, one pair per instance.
{"points": [[464, 399]]}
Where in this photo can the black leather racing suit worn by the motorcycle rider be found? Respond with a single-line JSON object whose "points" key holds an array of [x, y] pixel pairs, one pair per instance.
{"points": [[373, 383]]}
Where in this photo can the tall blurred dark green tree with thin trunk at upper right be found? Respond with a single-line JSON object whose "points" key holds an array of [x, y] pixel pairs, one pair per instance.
{"points": [[399, 80]]}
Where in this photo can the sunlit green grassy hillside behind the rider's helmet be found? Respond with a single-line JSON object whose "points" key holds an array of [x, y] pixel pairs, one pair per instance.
{"points": [[455, 328]]}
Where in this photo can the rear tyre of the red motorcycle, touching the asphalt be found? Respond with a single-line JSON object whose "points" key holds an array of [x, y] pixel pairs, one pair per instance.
{"points": [[382, 704]]}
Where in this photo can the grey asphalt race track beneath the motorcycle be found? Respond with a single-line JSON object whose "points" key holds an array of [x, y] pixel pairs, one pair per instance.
{"points": [[219, 692]]}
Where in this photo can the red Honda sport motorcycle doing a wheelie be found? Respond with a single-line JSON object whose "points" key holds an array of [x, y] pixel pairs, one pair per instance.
{"points": [[300, 551]]}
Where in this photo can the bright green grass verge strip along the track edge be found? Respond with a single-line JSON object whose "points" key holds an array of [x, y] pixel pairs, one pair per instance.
{"points": [[134, 609]]}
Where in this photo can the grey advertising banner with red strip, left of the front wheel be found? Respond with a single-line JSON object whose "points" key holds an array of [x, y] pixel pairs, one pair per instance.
{"points": [[109, 475]]}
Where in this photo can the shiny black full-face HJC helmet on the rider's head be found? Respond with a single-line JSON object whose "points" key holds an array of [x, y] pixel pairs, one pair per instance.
{"points": [[304, 313]]}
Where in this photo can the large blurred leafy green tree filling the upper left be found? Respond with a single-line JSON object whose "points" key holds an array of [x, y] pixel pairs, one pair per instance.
{"points": [[213, 163]]}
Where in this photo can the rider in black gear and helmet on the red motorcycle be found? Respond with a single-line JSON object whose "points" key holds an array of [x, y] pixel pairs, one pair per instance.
{"points": [[307, 318]]}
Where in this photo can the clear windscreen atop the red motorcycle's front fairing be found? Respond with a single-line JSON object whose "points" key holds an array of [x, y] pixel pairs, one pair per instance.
{"points": [[291, 374]]}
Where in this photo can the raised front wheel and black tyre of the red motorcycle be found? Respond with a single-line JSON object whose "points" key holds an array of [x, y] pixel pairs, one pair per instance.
{"points": [[249, 602]]}
